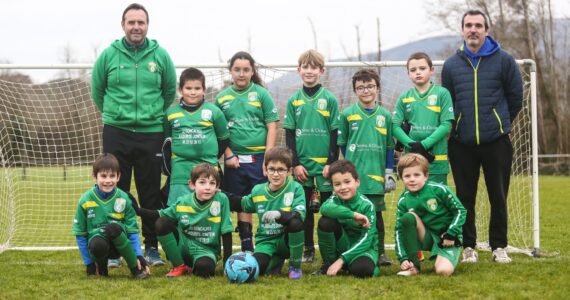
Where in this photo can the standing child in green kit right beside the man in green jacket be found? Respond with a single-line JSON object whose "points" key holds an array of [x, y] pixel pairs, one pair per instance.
{"points": [[197, 129]]}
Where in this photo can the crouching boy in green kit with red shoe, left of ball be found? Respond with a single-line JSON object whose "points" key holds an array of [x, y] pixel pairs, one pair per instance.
{"points": [[190, 229]]}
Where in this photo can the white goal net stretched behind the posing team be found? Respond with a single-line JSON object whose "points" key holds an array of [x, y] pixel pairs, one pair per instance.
{"points": [[50, 134]]}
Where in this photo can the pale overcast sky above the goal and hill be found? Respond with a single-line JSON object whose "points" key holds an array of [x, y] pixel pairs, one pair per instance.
{"points": [[36, 32]]}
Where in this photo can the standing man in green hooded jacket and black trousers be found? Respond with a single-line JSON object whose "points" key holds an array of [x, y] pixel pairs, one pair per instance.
{"points": [[133, 83]]}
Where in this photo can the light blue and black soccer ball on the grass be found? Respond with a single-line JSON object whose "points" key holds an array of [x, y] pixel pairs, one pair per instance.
{"points": [[241, 267]]}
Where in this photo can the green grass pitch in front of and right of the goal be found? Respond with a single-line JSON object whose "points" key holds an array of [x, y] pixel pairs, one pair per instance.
{"points": [[60, 274]]}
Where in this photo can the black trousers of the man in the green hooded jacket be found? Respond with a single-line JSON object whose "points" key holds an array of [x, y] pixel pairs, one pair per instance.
{"points": [[140, 152]]}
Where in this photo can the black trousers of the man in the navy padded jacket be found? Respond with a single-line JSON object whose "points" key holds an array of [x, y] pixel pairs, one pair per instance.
{"points": [[496, 159]]}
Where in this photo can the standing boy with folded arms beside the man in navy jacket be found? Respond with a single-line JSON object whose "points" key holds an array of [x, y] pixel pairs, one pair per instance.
{"points": [[428, 111]]}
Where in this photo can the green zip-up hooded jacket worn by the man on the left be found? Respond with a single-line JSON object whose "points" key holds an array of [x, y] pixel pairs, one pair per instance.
{"points": [[133, 86]]}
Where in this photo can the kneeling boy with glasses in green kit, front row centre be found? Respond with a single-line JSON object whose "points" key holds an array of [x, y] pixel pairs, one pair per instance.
{"points": [[280, 206]]}
